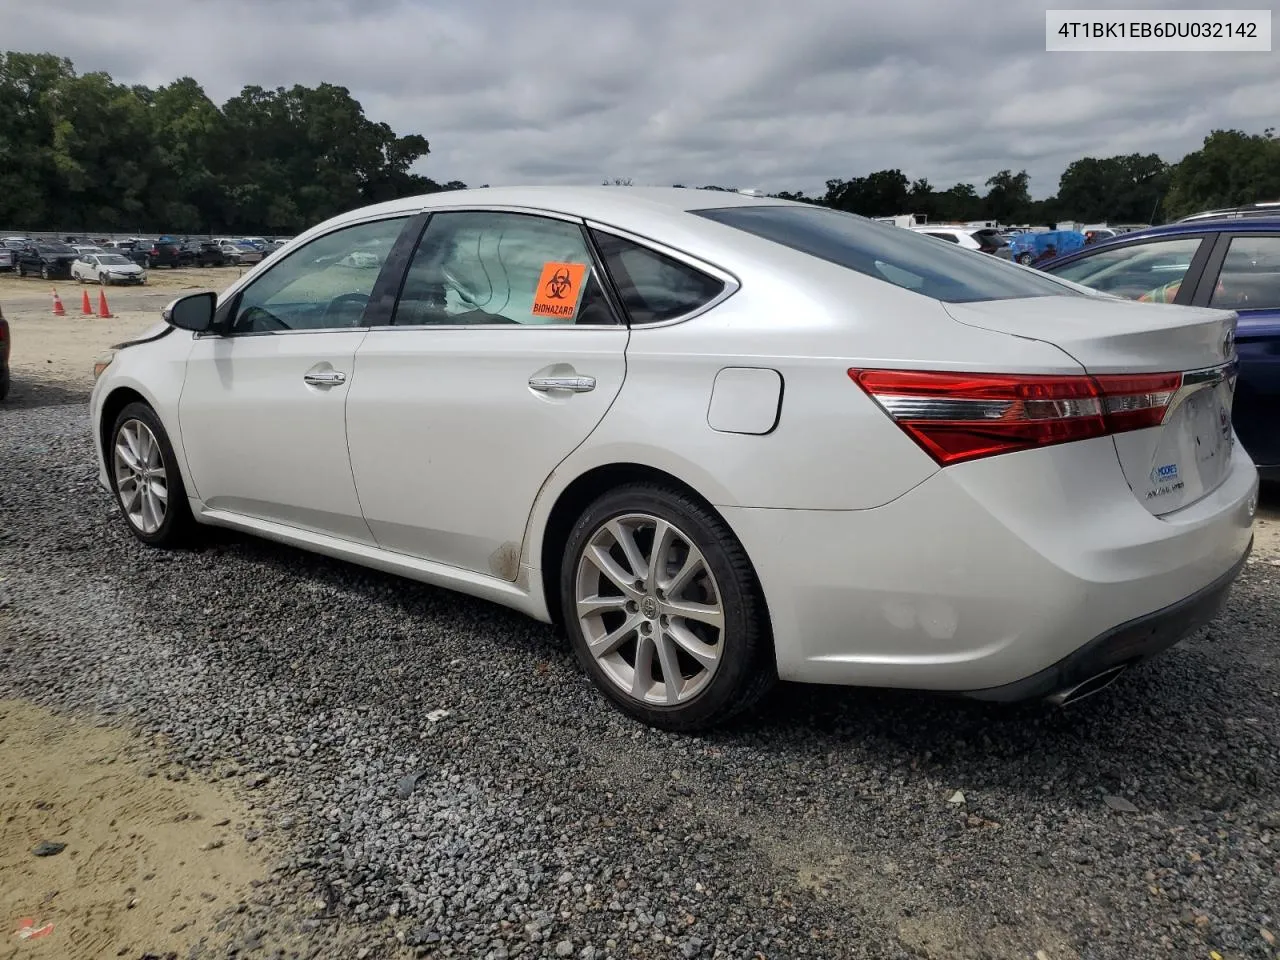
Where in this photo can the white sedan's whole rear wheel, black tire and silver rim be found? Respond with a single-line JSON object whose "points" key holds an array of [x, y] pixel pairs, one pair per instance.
{"points": [[664, 609]]}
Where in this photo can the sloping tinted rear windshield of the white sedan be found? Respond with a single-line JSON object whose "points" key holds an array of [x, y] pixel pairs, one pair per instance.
{"points": [[892, 254]]}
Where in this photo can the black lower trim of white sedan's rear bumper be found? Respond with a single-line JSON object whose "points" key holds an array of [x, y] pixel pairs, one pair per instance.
{"points": [[1124, 646]]}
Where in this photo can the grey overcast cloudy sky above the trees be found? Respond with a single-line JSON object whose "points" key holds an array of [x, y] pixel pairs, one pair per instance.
{"points": [[770, 94]]}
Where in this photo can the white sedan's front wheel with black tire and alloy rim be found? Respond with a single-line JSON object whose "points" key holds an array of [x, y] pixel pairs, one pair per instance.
{"points": [[147, 481]]}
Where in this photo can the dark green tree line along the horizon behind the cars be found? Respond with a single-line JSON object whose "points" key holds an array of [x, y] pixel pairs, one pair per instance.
{"points": [[86, 154]]}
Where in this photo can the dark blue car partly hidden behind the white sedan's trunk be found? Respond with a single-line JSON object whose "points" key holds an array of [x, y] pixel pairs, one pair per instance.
{"points": [[1228, 264]]}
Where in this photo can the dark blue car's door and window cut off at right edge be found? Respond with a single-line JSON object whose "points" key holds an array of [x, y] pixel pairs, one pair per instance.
{"points": [[1244, 275]]}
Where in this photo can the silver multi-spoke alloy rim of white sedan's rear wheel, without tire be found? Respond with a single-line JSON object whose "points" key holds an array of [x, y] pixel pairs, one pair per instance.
{"points": [[651, 610]]}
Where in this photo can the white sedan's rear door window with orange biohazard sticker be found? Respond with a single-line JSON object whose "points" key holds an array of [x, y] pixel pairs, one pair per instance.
{"points": [[477, 267]]}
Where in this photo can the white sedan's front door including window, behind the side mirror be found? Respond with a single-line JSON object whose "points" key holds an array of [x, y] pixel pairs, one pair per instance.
{"points": [[263, 404]]}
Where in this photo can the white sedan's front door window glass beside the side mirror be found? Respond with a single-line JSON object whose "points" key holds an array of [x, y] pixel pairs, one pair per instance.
{"points": [[324, 285]]}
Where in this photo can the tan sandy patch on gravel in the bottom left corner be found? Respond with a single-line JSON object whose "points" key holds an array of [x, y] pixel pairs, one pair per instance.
{"points": [[150, 863]]}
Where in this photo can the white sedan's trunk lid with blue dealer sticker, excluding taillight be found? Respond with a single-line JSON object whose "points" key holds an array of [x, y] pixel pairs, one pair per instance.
{"points": [[1190, 455]]}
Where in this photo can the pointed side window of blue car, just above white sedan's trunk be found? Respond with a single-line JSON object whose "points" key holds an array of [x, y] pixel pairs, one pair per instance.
{"points": [[1153, 271]]}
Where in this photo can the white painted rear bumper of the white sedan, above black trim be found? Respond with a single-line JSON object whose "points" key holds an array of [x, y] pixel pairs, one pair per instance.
{"points": [[989, 573]]}
